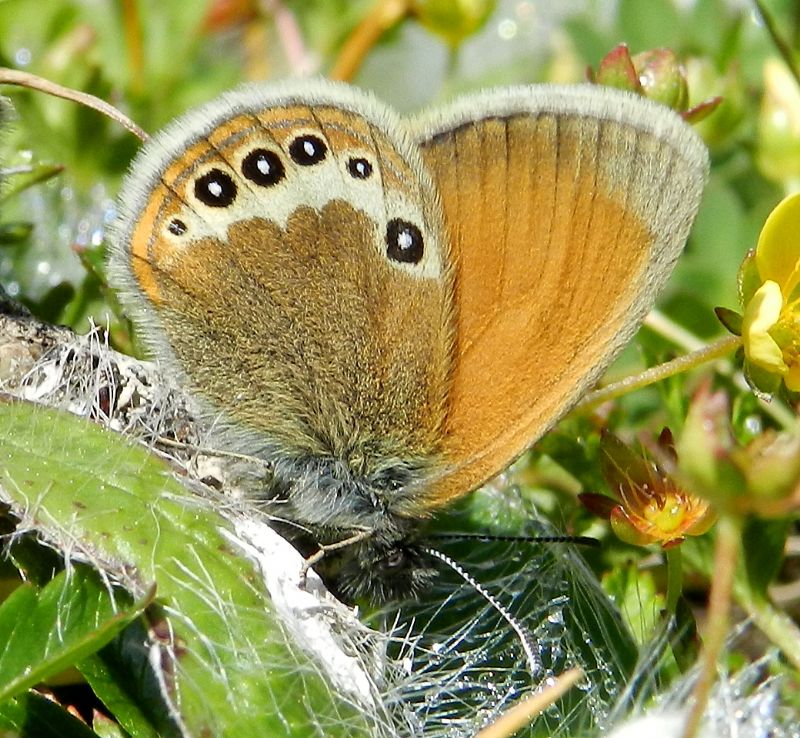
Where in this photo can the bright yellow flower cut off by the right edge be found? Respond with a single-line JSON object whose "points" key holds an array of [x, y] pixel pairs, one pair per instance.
{"points": [[769, 284]]}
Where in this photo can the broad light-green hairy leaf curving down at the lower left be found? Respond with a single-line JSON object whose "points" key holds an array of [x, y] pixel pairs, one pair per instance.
{"points": [[95, 492]]}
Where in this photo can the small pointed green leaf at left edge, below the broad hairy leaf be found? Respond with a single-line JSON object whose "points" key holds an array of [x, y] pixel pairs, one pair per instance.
{"points": [[45, 631]]}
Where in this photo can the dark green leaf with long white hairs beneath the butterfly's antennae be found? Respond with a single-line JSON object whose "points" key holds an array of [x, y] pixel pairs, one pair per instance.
{"points": [[550, 593]]}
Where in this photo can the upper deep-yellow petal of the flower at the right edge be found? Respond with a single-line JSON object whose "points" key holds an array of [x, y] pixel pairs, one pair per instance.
{"points": [[778, 250]]}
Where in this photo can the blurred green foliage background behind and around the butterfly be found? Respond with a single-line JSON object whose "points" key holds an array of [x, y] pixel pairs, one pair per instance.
{"points": [[154, 59]]}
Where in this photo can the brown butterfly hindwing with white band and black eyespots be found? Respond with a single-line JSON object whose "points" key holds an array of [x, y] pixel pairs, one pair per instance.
{"points": [[260, 252]]}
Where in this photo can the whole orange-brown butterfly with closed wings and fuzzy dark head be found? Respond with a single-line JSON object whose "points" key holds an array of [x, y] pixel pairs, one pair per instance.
{"points": [[390, 311]]}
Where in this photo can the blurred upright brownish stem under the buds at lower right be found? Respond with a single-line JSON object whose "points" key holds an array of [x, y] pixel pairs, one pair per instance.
{"points": [[726, 553]]}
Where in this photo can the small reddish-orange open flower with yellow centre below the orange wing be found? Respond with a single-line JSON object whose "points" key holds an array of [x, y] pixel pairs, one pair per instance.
{"points": [[649, 506]]}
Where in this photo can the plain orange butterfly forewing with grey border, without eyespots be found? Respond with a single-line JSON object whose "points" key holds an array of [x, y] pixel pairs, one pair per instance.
{"points": [[566, 209]]}
